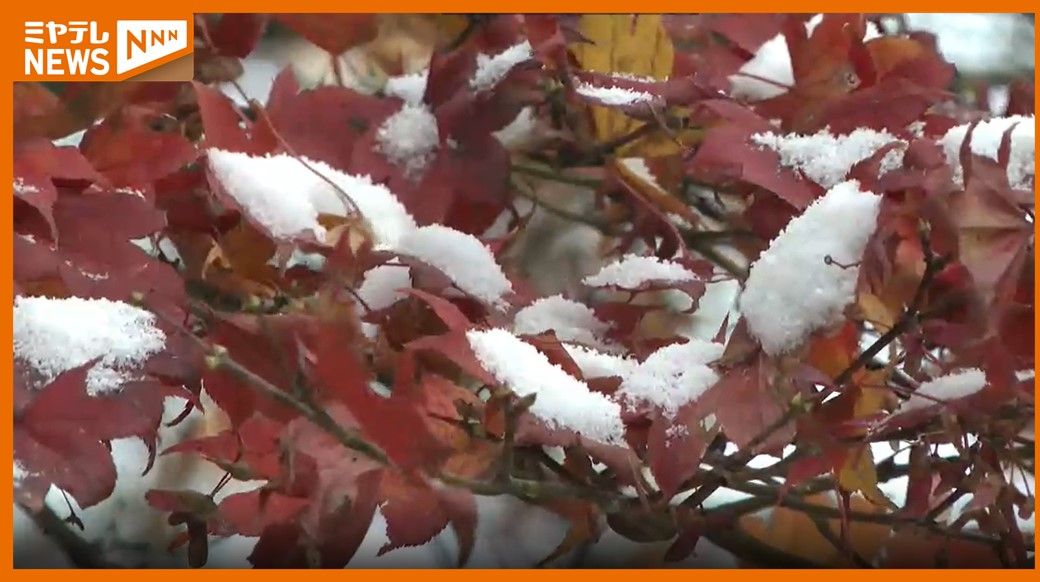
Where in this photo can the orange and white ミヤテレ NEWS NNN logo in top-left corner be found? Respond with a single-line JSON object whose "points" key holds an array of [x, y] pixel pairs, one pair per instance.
{"points": [[99, 50]]}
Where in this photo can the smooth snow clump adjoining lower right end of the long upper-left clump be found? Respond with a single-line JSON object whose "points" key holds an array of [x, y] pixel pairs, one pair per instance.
{"points": [[463, 258]]}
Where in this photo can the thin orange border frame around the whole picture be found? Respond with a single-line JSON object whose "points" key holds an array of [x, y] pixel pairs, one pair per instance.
{"points": [[11, 60]]}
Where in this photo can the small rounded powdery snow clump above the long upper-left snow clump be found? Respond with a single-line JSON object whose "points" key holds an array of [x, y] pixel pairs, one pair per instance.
{"points": [[409, 139]]}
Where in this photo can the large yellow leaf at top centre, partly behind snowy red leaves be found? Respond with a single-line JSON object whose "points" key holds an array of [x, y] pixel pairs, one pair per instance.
{"points": [[630, 44]]}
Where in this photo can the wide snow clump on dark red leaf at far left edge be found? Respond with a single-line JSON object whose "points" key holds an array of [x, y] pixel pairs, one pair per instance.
{"points": [[55, 336]]}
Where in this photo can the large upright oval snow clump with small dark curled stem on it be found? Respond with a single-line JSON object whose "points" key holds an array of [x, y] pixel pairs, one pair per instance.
{"points": [[793, 289]]}
